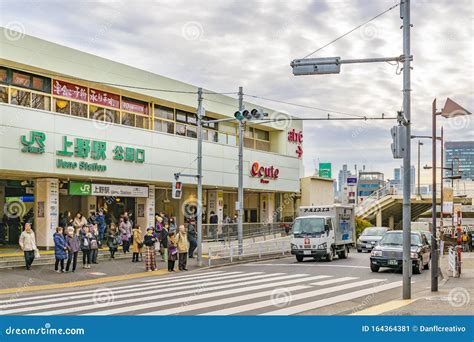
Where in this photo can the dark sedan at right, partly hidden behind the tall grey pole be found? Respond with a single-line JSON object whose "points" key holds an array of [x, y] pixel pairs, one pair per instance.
{"points": [[389, 252]]}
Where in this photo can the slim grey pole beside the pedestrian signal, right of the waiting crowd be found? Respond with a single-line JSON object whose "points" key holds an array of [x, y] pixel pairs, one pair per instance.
{"points": [[200, 113]]}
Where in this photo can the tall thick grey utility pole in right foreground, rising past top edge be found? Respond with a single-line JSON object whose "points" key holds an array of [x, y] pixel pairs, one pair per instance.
{"points": [[407, 264]]}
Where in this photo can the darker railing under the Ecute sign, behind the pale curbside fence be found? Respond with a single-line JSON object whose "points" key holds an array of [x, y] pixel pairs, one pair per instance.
{"points": [[226, 232]]}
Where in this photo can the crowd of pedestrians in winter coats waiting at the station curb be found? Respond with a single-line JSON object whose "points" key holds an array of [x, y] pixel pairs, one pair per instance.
{"points": [[78, 234]]}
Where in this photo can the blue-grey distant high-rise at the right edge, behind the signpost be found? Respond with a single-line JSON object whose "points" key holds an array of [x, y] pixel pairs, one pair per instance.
{"points": [[461, 154]]}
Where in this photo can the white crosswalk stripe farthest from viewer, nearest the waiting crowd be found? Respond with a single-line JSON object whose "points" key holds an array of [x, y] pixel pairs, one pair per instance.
{"points": [[125, 289]]}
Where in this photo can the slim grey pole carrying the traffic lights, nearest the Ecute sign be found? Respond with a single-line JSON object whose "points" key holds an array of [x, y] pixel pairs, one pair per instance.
{"points": [[240, 209]]}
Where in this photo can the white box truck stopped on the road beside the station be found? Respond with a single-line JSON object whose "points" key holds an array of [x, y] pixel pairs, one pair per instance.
{"points": [[323, 232]]}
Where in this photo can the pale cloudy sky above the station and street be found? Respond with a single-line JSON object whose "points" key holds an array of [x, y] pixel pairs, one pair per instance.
{"points": [[221, 45]]}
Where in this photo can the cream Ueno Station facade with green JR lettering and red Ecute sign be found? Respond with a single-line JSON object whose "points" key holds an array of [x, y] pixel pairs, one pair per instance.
{"points": [[79, 132]]}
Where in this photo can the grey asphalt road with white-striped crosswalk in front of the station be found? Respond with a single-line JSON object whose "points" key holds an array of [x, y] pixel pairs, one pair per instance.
{"points": [[277, 287]]}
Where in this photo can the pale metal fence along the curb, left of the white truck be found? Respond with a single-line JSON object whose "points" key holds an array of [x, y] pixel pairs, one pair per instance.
{"points": [[257, 249]]}
